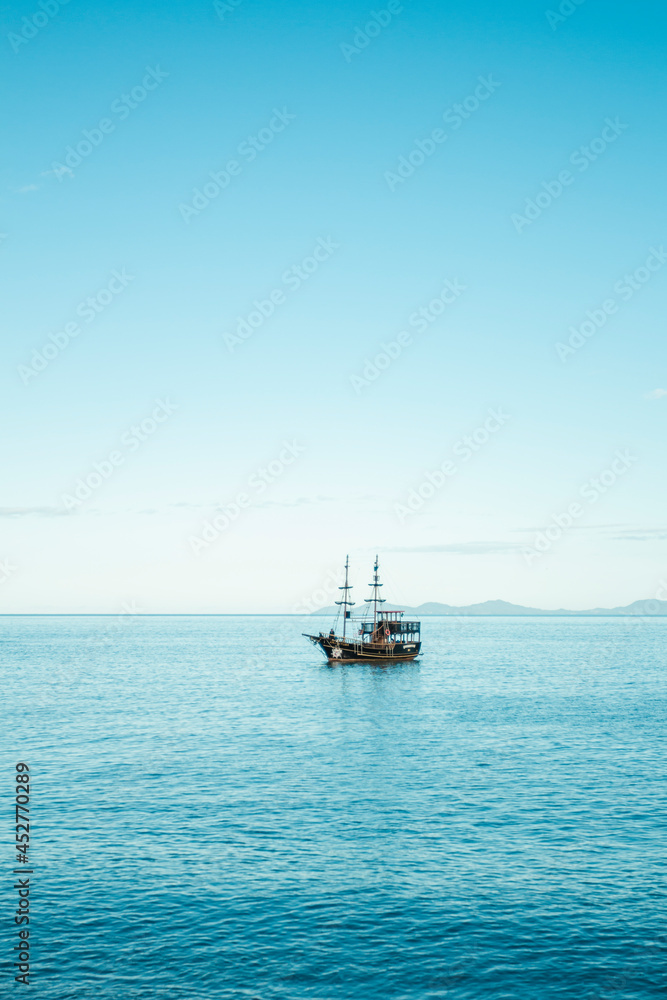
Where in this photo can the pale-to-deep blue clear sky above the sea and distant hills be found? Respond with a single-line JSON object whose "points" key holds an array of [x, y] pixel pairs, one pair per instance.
{"points": [[317, 219]]}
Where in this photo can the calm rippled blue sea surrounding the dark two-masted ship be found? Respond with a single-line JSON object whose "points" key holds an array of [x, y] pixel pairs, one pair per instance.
{"points": [[216, 813]]}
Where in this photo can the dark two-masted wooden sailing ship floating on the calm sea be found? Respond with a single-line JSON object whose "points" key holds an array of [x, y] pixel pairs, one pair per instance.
{"points": [[375, 636]]}
